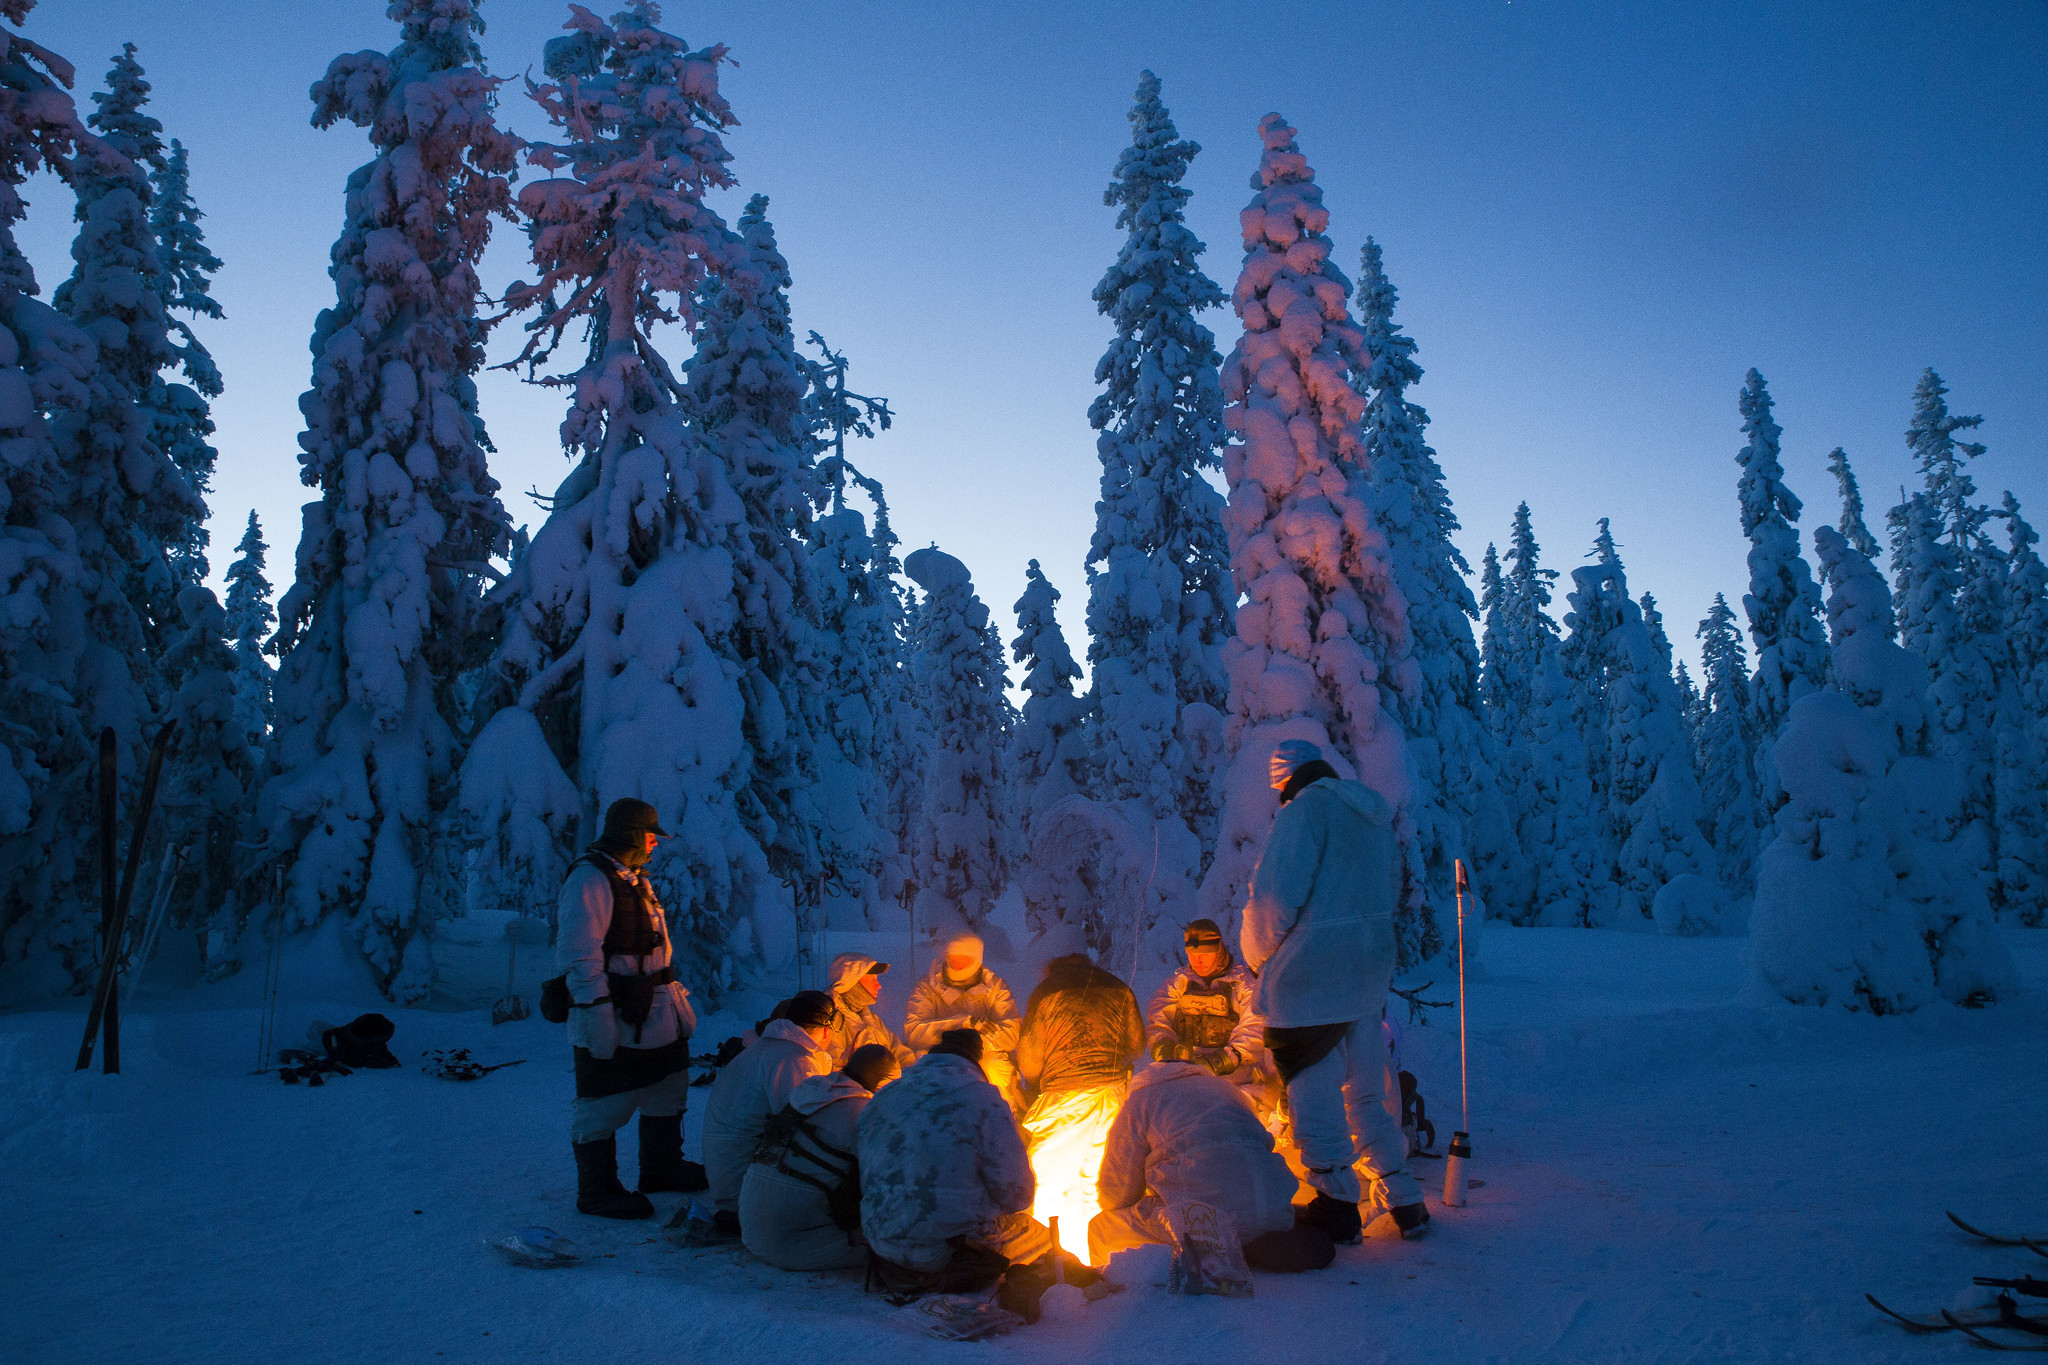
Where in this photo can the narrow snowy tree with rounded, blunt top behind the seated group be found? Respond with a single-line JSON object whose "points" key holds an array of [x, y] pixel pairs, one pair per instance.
{"points": [[957, 670]]}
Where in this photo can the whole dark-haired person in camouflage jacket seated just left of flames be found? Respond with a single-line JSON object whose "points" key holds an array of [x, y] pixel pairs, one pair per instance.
{"points": [[945, 1188]]}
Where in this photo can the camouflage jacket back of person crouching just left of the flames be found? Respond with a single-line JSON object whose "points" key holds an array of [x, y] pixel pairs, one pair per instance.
{"points": [[941, 1157]]}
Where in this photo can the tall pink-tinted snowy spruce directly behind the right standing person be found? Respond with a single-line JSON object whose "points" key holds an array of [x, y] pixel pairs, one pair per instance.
{"points": [[1322, 648]]}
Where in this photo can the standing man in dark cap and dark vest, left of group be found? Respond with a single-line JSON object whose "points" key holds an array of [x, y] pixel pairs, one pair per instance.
{"points": [[630, 1018]]}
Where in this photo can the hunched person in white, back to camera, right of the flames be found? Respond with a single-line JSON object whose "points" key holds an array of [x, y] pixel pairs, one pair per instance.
{"points": [[1189, 1137]]}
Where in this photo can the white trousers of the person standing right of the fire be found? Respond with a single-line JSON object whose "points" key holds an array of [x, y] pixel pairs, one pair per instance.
{"points": [[1340, 1120]]}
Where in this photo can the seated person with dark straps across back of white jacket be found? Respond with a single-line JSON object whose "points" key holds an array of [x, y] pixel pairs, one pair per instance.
{"points": [[800, 1202]]}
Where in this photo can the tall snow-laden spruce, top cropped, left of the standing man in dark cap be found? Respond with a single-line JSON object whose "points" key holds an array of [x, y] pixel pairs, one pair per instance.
{"points": [[380, 623]]}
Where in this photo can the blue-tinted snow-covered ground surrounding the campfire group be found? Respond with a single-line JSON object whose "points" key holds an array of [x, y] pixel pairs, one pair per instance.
{"points": [[1670, 1176]]}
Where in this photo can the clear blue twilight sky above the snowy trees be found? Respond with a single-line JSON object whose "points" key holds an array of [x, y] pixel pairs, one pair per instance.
{"points": [[1598, 218]]}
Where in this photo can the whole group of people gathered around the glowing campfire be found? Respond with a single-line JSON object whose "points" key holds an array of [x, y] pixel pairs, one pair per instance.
{"points": [[833, 1143]]}
